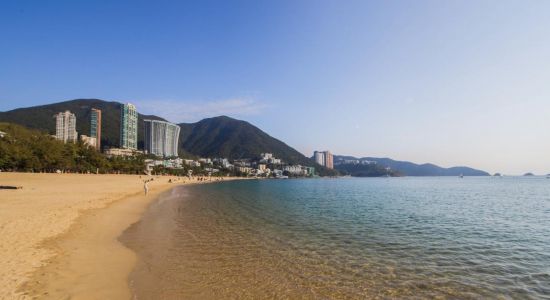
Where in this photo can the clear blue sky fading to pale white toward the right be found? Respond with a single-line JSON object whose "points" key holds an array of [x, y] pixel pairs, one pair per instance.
{"points": [[447, 82]]}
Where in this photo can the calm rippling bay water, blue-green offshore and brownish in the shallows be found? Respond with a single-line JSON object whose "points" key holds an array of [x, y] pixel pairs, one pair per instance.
{"points": [[476, 237]]}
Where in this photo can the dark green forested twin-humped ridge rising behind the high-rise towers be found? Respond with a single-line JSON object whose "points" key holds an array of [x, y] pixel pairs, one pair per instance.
{"points": [[213, 137]]}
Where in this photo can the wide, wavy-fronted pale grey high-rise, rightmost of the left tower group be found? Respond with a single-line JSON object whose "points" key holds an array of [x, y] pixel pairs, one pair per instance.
{"points": [[161, 138]]}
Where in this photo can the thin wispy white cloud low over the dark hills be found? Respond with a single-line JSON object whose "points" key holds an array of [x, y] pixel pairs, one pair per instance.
{"points": [[190, 111]]}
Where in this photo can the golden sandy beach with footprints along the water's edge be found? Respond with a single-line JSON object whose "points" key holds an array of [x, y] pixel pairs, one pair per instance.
{"points": [[58, 234]]}
